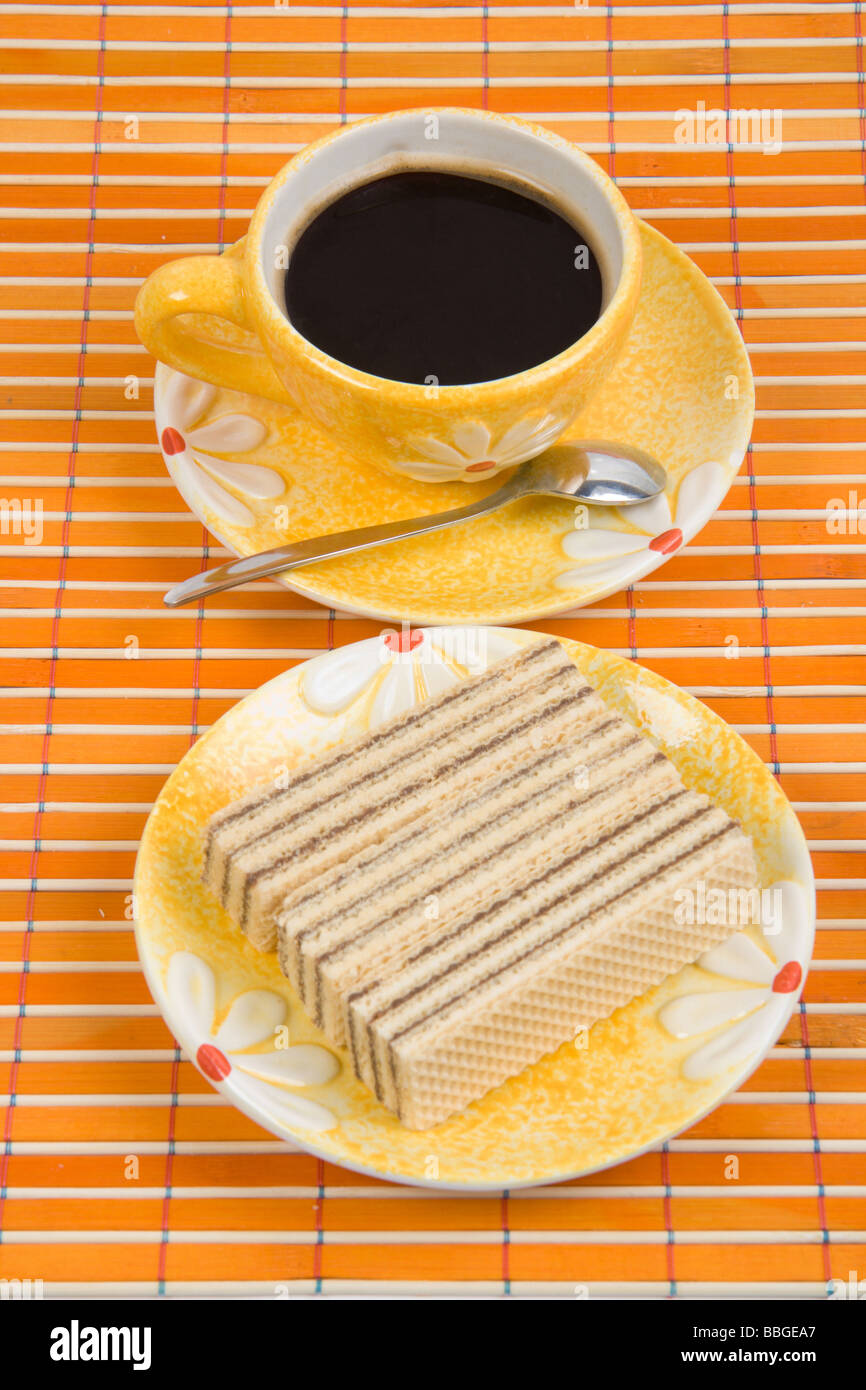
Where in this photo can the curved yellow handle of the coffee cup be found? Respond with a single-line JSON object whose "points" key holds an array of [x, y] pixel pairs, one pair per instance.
{"points": [[205, 286]]}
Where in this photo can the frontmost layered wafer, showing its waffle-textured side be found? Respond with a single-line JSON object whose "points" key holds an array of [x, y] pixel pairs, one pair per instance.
{"points": [[501, 985]]}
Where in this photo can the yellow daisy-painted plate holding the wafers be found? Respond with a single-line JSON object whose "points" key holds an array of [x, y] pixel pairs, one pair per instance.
{"points": [[642, 1077]]}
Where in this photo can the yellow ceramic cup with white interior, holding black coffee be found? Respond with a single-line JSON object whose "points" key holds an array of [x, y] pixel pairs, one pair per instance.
{"points": [[224, 319]]}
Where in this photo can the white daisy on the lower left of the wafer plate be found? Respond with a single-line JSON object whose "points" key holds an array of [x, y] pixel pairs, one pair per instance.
{"points": [[252, 1020]]}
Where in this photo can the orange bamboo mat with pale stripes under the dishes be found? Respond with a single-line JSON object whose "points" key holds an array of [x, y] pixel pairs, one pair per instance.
{"points": [[130, 133]]}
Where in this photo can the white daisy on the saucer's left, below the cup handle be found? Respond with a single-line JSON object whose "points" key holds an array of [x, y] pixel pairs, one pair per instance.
{"points": [[187, 443]]}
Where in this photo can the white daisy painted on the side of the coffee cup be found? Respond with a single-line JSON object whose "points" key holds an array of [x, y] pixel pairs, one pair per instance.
{"points": [[475, 455]]}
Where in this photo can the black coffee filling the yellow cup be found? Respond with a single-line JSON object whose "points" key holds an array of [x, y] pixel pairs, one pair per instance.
{"points": [[440, 279]]}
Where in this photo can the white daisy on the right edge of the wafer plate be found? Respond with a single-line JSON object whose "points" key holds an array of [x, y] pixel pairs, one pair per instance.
{"points": [[744, 1021]]}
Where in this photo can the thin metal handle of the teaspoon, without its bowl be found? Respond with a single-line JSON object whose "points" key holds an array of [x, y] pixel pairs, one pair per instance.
{"points": [[329, 547]]}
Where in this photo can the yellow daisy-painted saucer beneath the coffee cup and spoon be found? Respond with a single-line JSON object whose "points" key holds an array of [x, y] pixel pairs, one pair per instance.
{"points": [[259, 476]]}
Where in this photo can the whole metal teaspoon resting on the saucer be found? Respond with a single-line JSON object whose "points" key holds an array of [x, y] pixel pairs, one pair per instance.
{"points": [[593, 472]]}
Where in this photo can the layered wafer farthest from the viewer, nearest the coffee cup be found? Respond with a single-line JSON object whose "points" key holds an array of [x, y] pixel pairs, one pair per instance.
{"points": [[281, 837]]}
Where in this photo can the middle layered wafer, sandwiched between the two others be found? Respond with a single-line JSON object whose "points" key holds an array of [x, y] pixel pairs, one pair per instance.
{"points": [[338, 932]]}
